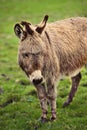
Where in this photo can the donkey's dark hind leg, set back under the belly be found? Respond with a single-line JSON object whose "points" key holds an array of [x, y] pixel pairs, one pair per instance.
{"points": [[75, 84]]}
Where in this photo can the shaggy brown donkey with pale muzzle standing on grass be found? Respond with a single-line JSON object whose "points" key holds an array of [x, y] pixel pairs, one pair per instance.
{"points": [[50, 51]]}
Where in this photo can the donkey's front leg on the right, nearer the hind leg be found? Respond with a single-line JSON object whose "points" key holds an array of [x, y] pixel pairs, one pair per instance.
{"points": [[52, 94]]}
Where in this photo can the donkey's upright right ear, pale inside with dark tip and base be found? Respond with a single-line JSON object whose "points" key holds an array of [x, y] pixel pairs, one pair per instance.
{"points": [[42, 25]]}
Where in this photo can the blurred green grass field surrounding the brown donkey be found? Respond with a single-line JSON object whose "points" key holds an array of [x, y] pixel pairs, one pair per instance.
{"points": [[19, 105]]}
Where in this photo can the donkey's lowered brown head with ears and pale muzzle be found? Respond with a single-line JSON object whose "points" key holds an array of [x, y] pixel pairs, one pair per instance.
{"points": [[32, 49]]}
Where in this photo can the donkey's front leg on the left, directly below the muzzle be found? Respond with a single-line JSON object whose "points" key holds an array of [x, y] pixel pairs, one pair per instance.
{"points": [[41, 91]]}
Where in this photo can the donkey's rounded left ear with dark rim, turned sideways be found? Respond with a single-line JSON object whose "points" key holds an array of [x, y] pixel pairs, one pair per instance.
{"points": [[19, 31]]}
